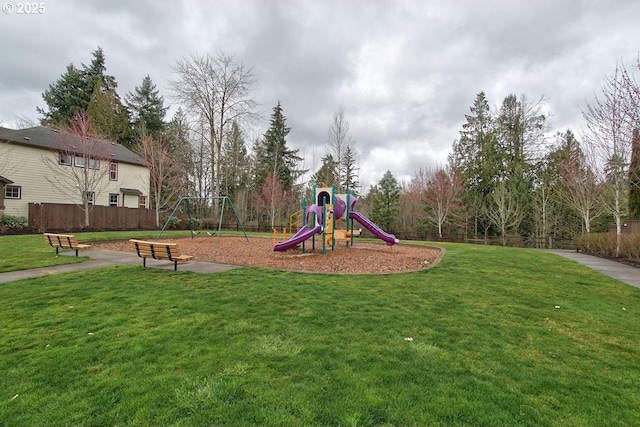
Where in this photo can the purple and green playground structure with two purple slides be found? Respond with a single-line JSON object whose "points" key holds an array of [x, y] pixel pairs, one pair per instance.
{"points": [[321, 218]]}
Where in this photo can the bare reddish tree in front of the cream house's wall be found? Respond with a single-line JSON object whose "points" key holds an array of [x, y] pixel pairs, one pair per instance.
{"points": [[81, 163]]}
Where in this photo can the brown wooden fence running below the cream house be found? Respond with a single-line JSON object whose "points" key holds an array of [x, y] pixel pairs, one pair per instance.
{"points": [[64, 217]]}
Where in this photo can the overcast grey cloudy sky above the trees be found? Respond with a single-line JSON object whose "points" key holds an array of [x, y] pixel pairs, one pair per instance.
{"points": [[406, 72]]}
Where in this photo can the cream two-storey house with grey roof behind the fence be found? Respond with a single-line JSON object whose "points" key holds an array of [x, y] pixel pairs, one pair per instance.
{"points": [[46, 165]]}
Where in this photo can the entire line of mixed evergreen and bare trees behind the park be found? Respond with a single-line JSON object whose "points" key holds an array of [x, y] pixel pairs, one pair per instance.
{"points": [[505, 179]]}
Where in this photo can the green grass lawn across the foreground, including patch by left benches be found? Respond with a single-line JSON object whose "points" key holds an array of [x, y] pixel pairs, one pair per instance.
{"points": [[490, 337]]}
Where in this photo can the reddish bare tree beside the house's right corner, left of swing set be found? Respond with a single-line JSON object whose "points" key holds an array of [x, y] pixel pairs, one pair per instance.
{"points": [[164, 174]]}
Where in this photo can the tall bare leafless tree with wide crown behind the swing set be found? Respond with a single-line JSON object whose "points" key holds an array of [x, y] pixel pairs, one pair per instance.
{"points": [[218, 89]]}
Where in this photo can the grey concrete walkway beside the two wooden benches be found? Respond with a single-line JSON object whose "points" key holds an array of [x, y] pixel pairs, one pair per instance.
{"points": [[105, 258]]}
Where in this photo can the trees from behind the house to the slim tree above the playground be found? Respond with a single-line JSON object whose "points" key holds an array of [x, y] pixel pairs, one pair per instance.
{"points": [[202, 150]]}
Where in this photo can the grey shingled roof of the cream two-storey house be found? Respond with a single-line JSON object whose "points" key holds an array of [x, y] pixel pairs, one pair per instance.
{"points": [[49, 139]]}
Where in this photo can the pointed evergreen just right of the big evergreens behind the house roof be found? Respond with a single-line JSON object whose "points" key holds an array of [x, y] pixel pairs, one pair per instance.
{"points": [[147, 109]]}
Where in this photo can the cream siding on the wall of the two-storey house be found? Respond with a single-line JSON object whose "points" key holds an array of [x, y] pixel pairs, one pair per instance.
{"points": [[27, 169]]}
